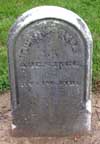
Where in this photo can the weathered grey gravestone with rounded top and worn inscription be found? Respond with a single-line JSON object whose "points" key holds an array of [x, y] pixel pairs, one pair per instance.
{"points": [[50, 52]]}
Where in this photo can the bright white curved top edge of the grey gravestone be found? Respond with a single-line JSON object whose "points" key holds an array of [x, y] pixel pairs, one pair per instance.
{"points": [[50, 12]]}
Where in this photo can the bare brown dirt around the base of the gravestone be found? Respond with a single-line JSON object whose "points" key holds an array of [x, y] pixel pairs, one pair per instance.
{"points": [[5, 123]]}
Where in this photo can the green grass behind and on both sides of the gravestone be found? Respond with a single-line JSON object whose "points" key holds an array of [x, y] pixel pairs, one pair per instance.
{"points": [[89, 10]]}
